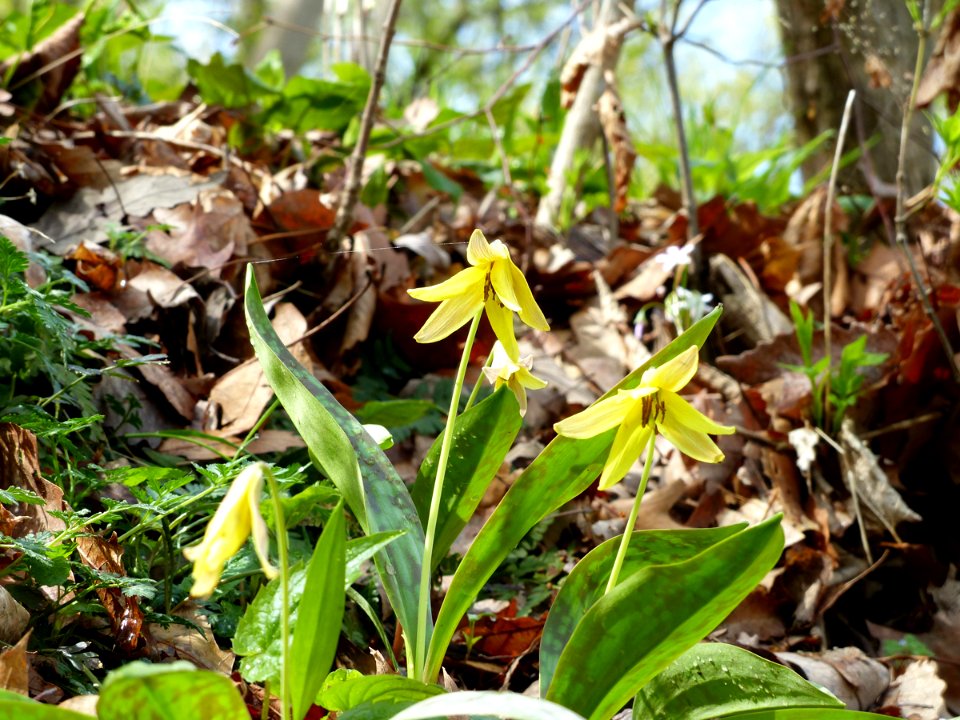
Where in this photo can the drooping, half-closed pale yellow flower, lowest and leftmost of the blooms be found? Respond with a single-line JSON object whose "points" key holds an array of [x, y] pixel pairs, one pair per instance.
{"points": [[237, 518]]}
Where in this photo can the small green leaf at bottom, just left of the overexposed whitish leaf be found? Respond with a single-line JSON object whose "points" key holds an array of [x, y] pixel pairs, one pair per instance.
{"points": [[372, 696]]}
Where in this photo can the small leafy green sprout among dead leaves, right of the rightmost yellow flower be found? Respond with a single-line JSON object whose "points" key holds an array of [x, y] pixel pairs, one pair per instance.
{"points": [[832, 399]]}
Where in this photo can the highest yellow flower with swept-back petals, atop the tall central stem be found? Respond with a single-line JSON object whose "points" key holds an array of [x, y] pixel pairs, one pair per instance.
{"points": [[493, 283]]}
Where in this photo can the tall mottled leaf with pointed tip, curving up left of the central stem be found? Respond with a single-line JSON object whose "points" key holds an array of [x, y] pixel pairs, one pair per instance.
{"points": [[378, 498]]}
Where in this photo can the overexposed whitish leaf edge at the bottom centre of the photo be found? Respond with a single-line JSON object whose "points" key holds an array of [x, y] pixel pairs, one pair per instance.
{"points": [[486, 704]]}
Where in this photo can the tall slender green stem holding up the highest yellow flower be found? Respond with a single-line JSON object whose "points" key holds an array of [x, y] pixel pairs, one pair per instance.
{"points": [[431, 531]]}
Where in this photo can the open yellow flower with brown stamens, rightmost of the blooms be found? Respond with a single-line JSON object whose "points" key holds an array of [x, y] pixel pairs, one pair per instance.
{"points": [[653, 406]]}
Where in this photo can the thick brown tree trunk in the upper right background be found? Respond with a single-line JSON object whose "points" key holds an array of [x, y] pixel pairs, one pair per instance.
{"points": [[870, 46]]}
